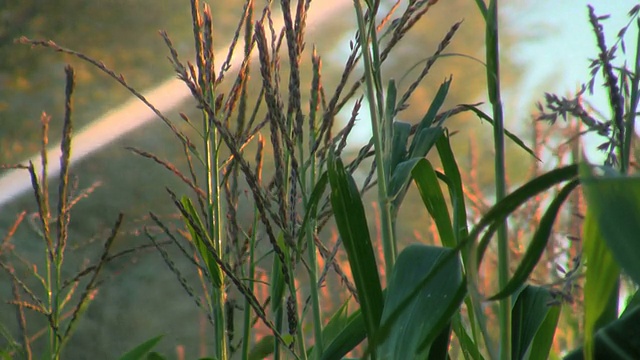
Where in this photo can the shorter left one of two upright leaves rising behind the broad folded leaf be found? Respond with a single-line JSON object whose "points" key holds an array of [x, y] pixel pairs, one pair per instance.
{"points": [[429, 188]]}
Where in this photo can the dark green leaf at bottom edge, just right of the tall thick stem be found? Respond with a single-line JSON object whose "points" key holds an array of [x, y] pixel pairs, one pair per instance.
{"points": [[529, 313]]}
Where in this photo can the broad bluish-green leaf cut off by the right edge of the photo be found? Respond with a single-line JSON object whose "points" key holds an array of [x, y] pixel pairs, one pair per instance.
{"points": [[614, 200]]}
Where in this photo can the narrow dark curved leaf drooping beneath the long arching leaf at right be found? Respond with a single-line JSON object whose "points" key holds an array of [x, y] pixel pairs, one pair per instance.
{"points": [[538, 244]]}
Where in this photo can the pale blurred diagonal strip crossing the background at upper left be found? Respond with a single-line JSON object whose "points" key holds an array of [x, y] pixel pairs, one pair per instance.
{"points": [[133, 114]]}
